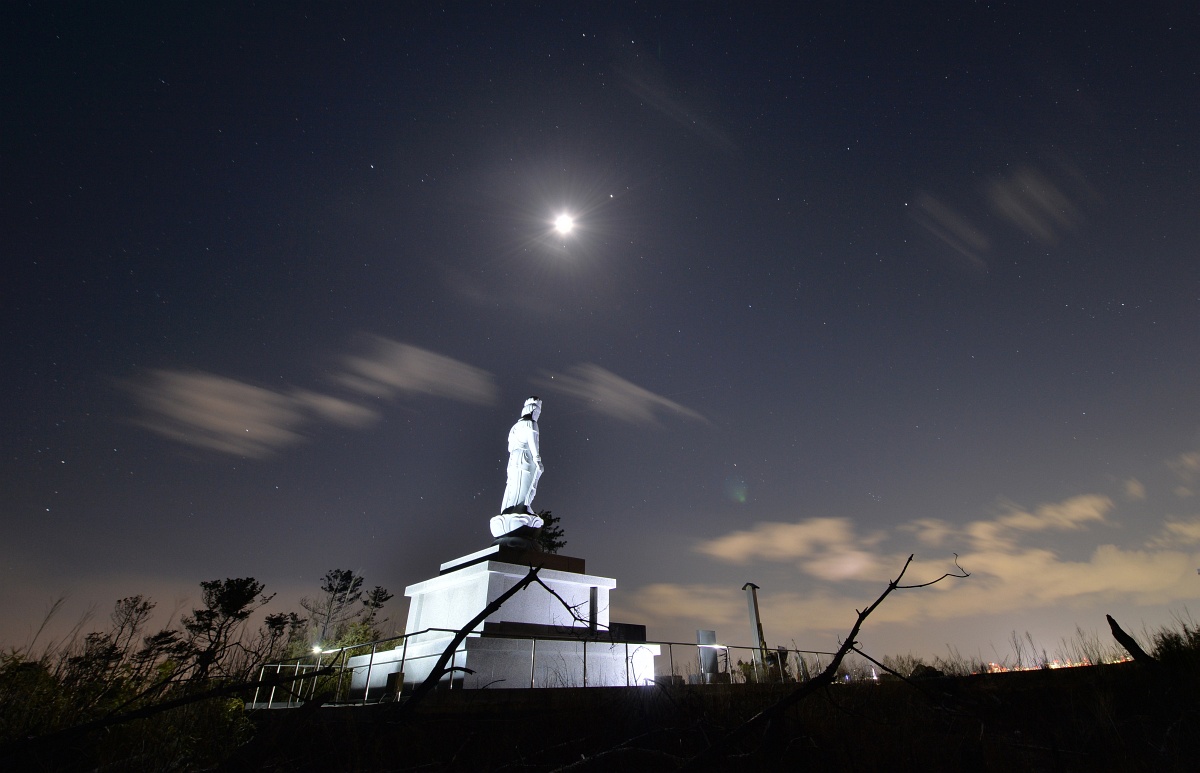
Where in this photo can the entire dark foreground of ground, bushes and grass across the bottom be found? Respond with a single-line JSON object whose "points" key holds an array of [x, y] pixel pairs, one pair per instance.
{"points": [[124, 700]]}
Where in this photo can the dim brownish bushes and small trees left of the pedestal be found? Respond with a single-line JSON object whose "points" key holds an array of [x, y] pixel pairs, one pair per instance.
{"points": [[173, 700]]}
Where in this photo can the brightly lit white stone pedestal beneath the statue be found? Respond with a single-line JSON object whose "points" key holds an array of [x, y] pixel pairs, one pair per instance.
{"points": [[531, 642]]}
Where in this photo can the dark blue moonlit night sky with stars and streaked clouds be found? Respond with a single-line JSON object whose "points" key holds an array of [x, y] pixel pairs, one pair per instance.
{"points": [[848, 283]]}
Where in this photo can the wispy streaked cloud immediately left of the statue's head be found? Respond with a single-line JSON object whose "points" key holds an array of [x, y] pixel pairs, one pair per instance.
{"points": [[392, 368]]}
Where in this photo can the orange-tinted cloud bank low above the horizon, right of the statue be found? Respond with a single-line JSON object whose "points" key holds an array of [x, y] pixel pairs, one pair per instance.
{"points": [[1009, 574]]}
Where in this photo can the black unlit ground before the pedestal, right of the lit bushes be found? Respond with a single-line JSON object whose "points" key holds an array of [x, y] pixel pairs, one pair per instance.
{"points": [[1100, 718]]}
